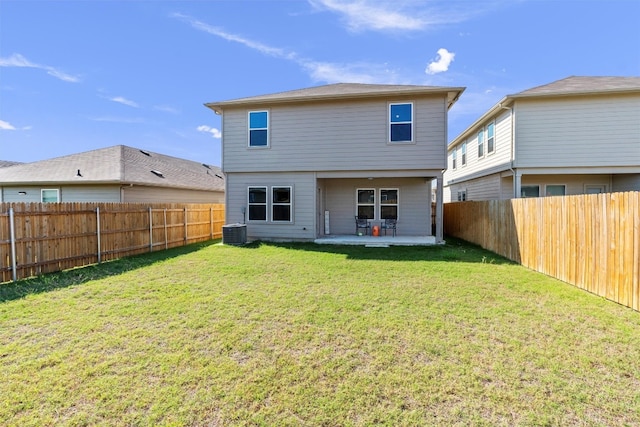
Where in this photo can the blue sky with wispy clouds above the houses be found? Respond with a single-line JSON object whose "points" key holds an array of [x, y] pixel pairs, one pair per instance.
{"points": [[80, 75]]}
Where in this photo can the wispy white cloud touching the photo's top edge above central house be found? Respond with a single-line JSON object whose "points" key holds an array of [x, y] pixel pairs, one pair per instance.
{"points": [[365, 14]]}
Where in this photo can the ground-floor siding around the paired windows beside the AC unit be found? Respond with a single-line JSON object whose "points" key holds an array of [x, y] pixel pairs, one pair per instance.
{"points": [[302, 226]]}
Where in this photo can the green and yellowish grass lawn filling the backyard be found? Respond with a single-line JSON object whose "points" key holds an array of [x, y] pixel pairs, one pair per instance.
{"points": [[306, 335]]}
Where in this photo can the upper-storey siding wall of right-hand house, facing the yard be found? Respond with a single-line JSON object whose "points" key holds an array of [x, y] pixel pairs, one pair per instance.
{"points": [[578, 131]]}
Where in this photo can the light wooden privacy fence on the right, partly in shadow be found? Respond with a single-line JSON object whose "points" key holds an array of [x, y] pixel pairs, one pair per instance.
{"points": [[590, 241]]}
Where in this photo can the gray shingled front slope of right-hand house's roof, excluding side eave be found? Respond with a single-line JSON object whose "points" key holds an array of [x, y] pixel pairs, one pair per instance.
{"points": [[575, 85]]}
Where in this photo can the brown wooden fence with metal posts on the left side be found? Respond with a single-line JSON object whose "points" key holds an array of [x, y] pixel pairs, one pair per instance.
{"points": [[37, 238]]}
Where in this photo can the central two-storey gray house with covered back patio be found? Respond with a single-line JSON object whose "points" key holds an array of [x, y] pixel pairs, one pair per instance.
{"points": [[302, 164]]}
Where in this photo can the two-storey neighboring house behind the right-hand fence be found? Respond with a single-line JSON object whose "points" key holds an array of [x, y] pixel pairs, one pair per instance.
{"points": [[573, 136]]}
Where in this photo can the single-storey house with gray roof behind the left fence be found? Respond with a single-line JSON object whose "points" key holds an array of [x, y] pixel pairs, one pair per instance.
{"points": [[114, 174]]}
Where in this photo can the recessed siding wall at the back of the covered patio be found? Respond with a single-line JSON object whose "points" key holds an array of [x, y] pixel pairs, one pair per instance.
{"points": [[414, 210]]}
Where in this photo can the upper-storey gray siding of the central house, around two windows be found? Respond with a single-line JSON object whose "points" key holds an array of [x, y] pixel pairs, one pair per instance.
{"points": [[337, 137]]}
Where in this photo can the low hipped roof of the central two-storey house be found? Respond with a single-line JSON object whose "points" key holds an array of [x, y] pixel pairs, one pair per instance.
{"points": [[339, 91]]}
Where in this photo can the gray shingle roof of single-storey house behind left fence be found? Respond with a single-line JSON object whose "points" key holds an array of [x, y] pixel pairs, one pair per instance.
{"points": [[117, 165]]}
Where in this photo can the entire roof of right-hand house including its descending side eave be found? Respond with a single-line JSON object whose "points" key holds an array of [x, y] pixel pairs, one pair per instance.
{"points": [[569, 86]]}
